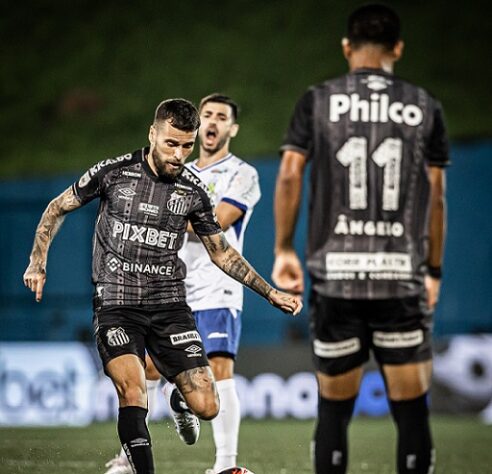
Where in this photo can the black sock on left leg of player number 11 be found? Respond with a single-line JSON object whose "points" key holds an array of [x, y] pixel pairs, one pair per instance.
{"points": [[331, 435]]}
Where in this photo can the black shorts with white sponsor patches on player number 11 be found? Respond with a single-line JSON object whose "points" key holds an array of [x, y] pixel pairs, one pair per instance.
{"points": [[343, 331]]}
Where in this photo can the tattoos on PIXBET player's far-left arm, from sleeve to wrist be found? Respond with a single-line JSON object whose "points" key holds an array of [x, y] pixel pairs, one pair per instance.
{"points": [[48, 226]]}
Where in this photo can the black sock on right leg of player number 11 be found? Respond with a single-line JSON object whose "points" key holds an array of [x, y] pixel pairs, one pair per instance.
{"points": [[415, 453]]}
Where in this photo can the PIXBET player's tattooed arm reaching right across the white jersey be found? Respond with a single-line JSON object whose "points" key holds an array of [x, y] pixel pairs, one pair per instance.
{"points": [[230, 261]]}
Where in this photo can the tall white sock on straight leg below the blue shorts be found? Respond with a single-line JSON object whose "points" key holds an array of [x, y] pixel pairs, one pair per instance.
{"points": [[226, 425]]}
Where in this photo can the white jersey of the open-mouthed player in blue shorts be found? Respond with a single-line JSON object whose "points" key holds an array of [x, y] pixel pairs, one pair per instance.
{"points": [[236, 182]]}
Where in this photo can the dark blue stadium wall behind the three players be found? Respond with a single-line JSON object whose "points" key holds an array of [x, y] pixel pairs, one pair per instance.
{"points": [[65, 313]]}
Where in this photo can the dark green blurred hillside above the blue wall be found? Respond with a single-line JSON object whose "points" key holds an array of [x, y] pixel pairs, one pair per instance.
{"points": [[80, 79]]}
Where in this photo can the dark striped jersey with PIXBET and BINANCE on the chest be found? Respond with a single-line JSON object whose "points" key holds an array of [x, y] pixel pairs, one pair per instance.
{"points": [[140, 227]]}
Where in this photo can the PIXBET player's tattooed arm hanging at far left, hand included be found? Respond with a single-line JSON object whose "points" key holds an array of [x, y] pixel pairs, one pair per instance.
{"points": [[51, 220]]}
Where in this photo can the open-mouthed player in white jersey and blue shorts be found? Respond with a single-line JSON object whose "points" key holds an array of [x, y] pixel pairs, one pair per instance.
{"points": [[216, 301]]}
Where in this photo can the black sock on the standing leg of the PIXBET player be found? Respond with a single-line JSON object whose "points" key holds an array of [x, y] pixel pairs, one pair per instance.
{"points": [[135, 439]]}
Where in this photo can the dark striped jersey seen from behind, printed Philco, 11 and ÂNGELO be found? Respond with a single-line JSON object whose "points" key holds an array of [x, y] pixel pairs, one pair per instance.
{"points": [[370, 138]]}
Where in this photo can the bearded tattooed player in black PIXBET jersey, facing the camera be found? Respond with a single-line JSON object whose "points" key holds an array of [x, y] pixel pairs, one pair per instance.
{"points": [[147, 199]]}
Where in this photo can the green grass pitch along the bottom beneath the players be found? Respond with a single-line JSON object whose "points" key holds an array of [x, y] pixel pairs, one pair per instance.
{"points": [[464, 446]]}
